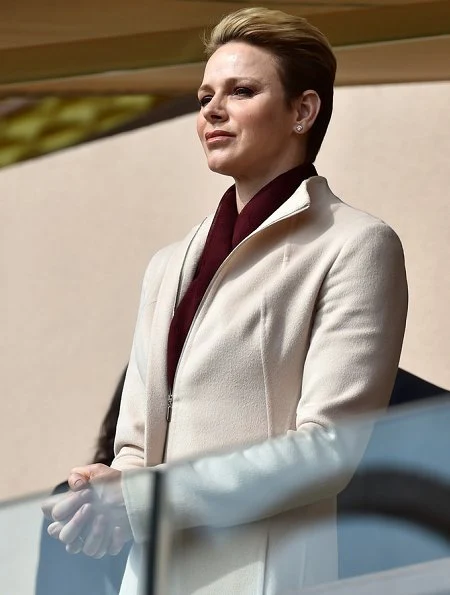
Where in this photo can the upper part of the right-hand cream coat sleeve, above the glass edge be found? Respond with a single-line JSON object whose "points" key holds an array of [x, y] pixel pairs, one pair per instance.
{"points": [[358, 329]]}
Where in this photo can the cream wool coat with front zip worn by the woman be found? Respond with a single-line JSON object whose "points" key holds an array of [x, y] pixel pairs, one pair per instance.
{"points": [[301, 326]]}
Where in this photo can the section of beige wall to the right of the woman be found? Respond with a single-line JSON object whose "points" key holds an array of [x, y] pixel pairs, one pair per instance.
{"points": [[387, 152]]}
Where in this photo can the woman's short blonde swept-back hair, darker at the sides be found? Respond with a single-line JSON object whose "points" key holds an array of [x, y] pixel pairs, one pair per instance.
{"points": [[303, 53]]}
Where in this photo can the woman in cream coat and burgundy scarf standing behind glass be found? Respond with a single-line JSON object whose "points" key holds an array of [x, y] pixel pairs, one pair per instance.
{"points": [[268, 323]]}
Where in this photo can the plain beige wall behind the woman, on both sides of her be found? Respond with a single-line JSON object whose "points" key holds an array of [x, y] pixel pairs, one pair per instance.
{"points": [[78, 229]]}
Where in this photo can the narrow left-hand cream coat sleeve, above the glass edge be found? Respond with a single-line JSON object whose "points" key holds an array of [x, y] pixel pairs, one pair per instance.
{"points": [[129, 441]]}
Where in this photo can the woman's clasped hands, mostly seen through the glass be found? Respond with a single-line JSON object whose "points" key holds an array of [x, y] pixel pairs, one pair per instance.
{"points": [[91, 517]]}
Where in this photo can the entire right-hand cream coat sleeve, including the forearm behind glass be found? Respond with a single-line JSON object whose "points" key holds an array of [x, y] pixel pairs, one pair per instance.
{"points": [[353, 355]]}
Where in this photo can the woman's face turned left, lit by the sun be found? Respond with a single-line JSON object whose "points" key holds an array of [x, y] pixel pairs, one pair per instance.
{"points": [[244, 123]]}
